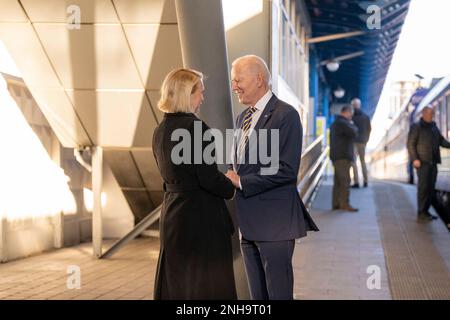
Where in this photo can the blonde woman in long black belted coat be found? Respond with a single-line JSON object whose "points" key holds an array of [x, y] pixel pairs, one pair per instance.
{"points": [[195, 260]]}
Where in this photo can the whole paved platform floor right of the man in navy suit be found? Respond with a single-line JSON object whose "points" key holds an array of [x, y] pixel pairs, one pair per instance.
{"points": [[412, 257]]}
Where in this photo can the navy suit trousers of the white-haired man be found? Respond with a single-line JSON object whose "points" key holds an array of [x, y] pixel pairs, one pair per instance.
{"points": [[268, 265]]}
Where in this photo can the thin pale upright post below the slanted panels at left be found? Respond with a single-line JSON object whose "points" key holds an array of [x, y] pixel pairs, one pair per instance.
{"points": [[97, 183]]}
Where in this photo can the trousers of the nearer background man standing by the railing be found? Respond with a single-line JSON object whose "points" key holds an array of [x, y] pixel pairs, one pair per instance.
{"points": [[341, 183]]}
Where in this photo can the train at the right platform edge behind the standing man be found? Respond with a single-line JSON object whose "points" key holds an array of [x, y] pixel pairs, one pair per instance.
{"points": [[390, 160]]}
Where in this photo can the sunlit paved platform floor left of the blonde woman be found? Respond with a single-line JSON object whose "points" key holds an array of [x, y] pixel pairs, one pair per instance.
{"points": [[127, 275]]}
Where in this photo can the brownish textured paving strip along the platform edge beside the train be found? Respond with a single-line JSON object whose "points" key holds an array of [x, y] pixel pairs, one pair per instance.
{"points": [[415, 268]]}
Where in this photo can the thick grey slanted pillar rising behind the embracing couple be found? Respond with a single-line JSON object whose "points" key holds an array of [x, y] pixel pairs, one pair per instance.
{"points": [[203, 48]]}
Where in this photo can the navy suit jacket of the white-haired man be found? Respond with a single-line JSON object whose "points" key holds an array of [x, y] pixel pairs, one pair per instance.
{"points": [[269, 207]]}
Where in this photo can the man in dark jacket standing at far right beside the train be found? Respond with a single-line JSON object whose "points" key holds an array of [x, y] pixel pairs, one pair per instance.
{"points": [[424, 140]]}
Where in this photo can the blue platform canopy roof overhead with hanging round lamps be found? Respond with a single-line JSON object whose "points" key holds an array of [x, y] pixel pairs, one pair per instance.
{"points": [[372, 45]]}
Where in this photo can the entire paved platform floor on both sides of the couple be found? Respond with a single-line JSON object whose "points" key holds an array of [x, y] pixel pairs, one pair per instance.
{"points": [[411, 258]]}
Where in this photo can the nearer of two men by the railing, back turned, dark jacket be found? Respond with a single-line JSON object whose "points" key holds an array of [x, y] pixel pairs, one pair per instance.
{"points": [[342, 135]]}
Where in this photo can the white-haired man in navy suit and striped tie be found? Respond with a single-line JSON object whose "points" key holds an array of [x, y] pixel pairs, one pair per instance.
{"points": [[270, 213]]}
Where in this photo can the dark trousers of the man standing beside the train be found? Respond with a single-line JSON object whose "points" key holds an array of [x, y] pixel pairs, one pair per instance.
{"points": [[426, 193]]}
